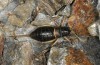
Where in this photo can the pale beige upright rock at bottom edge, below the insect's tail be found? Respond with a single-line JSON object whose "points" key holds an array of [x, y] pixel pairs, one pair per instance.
{"points": [[25, 49]]}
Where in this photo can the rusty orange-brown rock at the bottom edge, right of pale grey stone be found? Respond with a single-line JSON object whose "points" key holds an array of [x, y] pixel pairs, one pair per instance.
{"points": [[77, 57]]}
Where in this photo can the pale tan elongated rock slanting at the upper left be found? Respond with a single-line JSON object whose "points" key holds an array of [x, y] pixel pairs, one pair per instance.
{"points": [[22, 13]]}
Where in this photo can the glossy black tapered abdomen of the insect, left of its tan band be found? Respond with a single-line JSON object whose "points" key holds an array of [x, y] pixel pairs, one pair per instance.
{"points": [[43, 34]]}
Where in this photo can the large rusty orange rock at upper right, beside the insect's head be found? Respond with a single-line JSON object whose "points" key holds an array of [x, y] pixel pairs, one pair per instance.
{"points": [[83, 15]]}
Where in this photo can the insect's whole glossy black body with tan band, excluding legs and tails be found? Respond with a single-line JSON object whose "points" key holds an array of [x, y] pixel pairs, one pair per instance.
{"points": [[47, 33]]}
